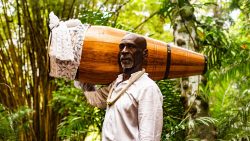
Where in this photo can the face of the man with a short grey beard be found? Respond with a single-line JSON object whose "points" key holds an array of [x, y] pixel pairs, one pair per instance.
{"points": [[130, 53]]}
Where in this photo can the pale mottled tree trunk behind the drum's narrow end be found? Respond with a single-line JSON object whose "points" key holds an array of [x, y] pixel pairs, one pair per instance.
{"points": [[195, 106]]}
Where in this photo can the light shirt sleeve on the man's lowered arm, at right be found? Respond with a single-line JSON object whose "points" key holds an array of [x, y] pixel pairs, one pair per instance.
{"points": [[150, 114]]}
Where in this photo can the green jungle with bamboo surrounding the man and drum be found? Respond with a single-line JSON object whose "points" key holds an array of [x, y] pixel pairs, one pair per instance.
{"points": [[34, 106]]}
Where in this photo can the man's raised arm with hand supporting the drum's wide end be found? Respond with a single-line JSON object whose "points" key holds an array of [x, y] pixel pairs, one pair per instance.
{"points": [[95, 97]]}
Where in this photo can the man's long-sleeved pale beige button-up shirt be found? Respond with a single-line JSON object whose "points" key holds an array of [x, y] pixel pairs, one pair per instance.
{"points": [[136, 116]]}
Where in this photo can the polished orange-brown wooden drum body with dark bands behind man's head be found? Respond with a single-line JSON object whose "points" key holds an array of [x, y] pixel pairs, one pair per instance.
{"points": [[99, 60]]}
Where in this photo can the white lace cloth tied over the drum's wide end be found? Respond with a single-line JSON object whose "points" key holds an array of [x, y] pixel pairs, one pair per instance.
{"points": [[66, 46]]}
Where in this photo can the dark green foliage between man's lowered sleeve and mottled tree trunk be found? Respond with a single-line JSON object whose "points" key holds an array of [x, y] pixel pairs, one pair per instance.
{"points": [[173, 128]]}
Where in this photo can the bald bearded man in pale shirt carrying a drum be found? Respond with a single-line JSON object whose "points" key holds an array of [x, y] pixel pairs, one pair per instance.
{"points": [[133, 101]]}
